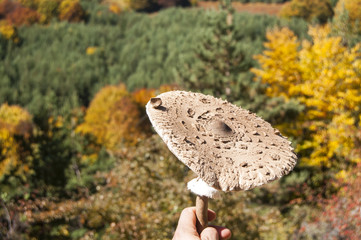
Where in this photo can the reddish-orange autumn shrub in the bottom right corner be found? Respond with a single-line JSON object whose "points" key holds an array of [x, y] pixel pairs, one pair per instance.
{"points": [[339, 217]]}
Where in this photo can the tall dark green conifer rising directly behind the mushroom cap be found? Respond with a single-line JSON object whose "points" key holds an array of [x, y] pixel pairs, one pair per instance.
{"points": [[218, 58]]}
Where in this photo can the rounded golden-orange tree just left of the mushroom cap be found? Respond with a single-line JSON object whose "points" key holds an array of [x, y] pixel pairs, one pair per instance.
{"points": [[112, 118]]}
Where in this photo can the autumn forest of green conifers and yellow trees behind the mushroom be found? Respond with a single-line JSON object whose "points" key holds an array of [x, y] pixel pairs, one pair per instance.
{"points": [[80, 160]]}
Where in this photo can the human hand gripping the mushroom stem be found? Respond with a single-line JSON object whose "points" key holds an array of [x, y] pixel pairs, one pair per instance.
{"points": [[186, 229]]}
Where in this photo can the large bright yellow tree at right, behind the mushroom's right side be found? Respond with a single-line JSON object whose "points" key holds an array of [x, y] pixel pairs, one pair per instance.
{"points": [[325, 76]]}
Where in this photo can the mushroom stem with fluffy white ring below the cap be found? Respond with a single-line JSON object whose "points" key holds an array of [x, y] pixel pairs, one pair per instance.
{"points": [[203, 191]]}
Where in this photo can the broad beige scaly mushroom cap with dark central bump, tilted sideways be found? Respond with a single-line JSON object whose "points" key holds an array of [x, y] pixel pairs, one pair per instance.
{"points": [[228, 147]]}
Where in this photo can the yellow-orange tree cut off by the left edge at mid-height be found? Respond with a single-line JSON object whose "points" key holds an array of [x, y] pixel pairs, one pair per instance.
{"points": [[13, 121]]}
